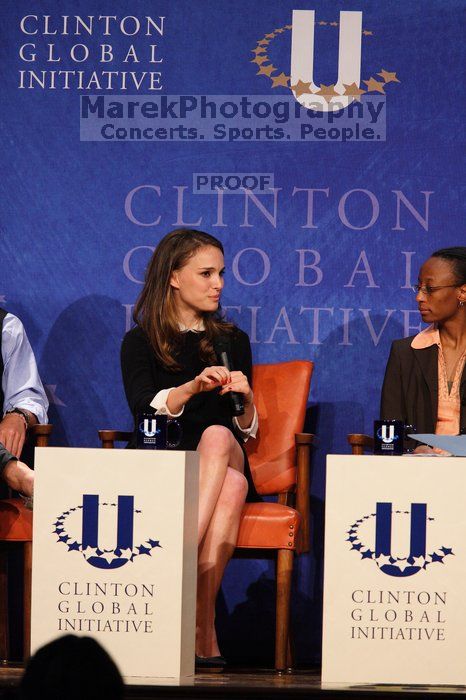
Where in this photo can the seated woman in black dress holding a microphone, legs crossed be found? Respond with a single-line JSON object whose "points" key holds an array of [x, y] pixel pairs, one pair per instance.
{"points": [[169, 366]]}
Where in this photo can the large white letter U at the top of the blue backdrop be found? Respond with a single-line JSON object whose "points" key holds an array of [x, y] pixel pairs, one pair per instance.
{"points": [[349, 58]]}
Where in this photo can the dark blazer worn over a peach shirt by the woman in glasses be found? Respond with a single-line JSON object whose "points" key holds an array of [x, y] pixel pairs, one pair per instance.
{"points": [[410, 387]]}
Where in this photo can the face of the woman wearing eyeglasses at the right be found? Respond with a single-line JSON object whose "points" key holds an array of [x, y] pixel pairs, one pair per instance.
{"points": [[439, 305]]}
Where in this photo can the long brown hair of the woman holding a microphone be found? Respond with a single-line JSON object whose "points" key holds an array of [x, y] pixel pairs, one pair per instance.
{"points": [[155, 310]]}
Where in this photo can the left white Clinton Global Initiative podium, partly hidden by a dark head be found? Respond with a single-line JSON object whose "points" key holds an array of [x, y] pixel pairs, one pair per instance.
{"points": [[115, 555]]}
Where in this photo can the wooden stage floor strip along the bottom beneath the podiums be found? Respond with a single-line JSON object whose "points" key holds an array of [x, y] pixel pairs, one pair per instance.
{"points": [[253, 684]]}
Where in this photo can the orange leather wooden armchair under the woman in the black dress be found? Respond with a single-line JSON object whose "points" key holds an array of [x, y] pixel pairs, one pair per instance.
{"points": [[280, 465]]}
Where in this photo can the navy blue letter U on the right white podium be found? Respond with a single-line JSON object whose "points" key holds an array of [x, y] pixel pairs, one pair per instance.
{"points": [[383, 537]]}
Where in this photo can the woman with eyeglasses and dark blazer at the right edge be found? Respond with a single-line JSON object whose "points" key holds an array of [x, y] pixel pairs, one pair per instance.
{"points": [[425, 378]]}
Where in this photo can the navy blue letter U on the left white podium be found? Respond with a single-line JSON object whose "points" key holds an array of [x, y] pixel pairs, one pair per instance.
{"points": [[90, 529]]}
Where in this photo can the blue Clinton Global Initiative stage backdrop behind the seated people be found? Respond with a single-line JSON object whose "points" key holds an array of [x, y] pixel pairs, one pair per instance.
{"points": [[327, 182]]}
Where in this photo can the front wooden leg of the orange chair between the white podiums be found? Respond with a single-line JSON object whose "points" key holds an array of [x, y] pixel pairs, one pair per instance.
{"points": [[284, 574]]}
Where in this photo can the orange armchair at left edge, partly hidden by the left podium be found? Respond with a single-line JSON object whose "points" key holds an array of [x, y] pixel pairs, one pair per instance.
{"points": [[16, 529]]}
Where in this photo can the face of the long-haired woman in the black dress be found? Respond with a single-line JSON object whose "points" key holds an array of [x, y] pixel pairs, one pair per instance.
{"points": [[197, 286]]}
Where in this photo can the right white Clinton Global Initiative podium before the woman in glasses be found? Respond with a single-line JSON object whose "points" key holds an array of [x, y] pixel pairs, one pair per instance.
{"points": [[395, 570]]}
